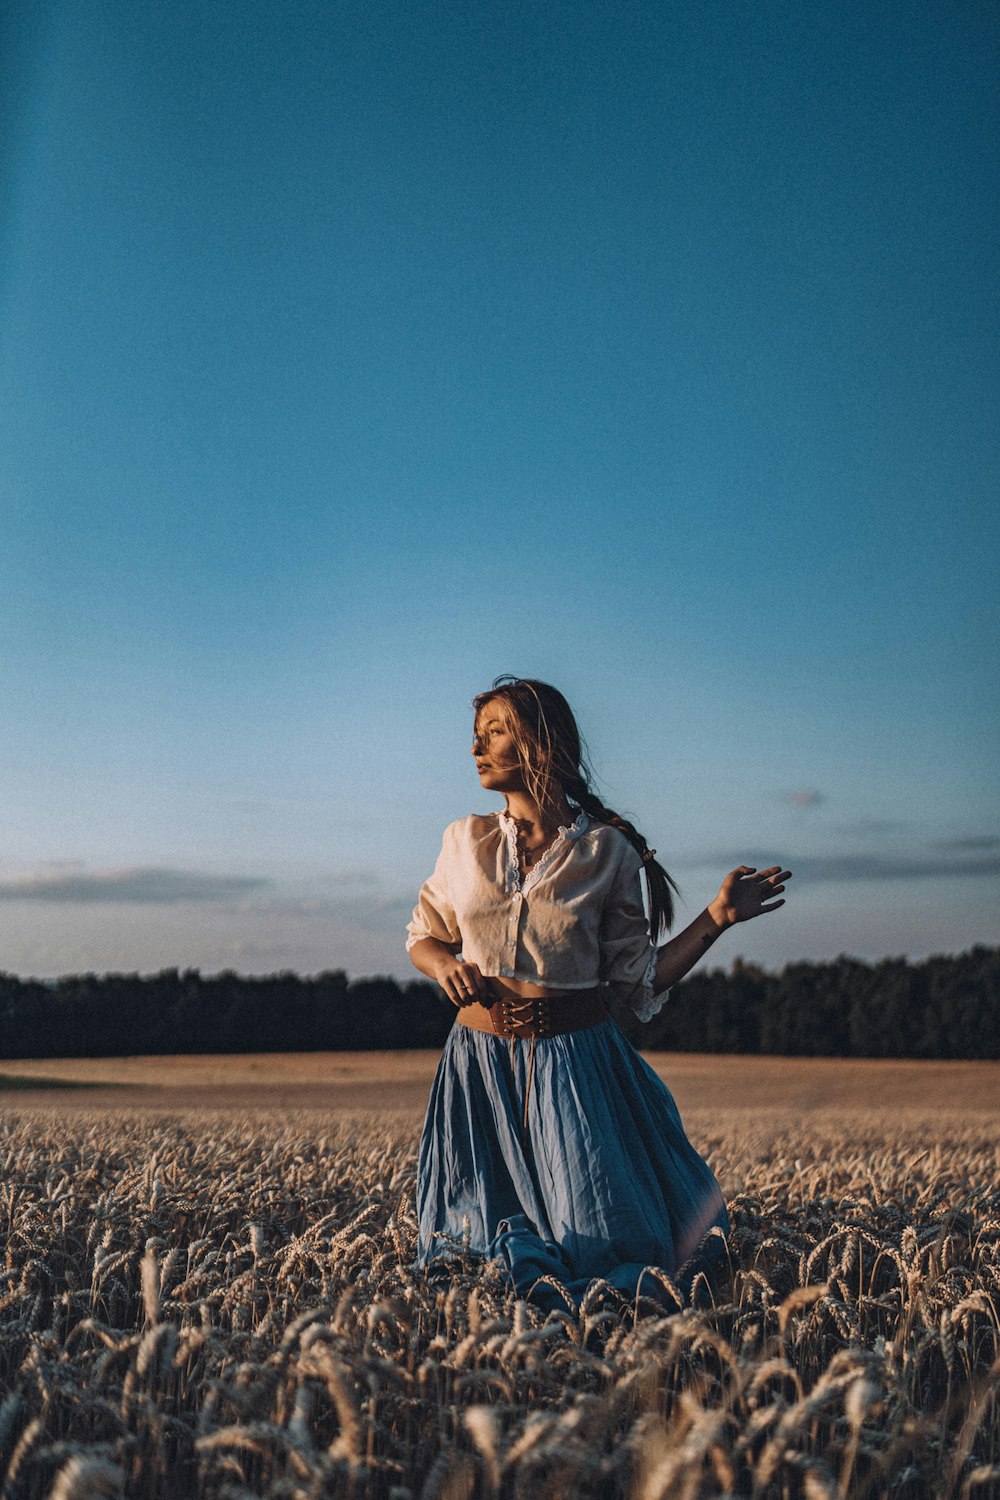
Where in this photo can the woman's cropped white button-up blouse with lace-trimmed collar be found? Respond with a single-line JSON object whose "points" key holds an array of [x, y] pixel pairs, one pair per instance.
{"points": [[573, 922]]}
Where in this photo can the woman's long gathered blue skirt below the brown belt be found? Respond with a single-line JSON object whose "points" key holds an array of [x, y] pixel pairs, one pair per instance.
{"points": [[602, 1184]]}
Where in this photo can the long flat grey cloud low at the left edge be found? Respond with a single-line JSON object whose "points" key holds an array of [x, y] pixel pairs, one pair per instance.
{"points": [[142, 884]]}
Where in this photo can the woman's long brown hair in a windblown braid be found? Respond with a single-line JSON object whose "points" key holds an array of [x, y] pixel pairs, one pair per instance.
{"points": [[552, 761]]}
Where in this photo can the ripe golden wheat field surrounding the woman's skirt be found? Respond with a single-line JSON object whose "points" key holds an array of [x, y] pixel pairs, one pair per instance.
{"points": [[223, 1304]]}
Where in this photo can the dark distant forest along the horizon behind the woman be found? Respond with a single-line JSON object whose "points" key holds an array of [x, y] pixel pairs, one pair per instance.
{"points": [[944, 1007]]}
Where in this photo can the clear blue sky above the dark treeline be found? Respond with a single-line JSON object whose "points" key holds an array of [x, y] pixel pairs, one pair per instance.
{"points": [[353, 355]]}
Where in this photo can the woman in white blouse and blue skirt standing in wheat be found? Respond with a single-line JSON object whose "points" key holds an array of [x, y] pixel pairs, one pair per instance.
{"points": [[549, 1144]]}
